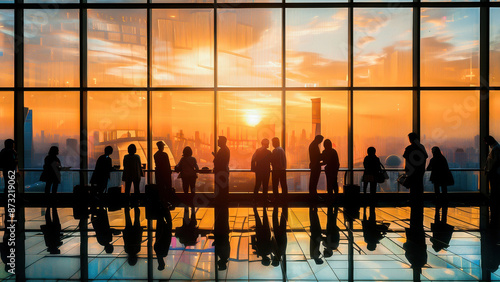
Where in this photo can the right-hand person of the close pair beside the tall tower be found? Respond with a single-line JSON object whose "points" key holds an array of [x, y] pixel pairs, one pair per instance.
{"points": [[330, 158]]}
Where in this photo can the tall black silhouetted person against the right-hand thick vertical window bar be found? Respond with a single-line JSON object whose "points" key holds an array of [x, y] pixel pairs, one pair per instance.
{"points": [[415, 156]]}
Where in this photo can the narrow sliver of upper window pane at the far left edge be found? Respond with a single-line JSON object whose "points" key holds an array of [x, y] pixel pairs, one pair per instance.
{"points": [[7, 48]]}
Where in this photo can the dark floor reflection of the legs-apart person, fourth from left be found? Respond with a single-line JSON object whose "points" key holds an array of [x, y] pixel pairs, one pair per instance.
{"points": [[132, 235]]}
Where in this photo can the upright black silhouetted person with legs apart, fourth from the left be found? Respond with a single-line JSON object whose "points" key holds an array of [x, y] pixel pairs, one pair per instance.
{"points": [[132, 171]]}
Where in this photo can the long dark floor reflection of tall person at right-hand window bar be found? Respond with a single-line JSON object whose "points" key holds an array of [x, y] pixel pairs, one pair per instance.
{"points": [[415, 247]]}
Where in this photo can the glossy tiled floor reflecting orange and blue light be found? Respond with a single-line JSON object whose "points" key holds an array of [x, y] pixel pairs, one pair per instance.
{"points": [[387, 256]]}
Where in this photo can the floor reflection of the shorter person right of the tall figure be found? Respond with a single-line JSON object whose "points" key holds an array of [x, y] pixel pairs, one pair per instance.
{"points": [[441, 230]]}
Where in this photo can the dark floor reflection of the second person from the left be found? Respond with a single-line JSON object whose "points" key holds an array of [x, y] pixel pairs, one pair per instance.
{"points": [[52, 231]]}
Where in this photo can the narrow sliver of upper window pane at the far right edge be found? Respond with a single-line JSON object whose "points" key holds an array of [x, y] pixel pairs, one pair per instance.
{"points": [[495, 46]]}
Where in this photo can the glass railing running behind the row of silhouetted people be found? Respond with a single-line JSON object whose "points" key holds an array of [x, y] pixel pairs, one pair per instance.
{"points": [[242, 180]]}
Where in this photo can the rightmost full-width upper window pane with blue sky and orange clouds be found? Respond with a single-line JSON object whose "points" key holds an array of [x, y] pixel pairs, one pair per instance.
{"points": [[450, 47]]}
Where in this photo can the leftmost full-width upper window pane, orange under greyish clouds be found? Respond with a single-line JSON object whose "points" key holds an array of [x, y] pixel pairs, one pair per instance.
{"points": [[51, 48]]}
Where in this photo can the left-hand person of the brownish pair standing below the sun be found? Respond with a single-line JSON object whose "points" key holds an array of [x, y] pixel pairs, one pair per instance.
{"points": [[261, 165]]}
